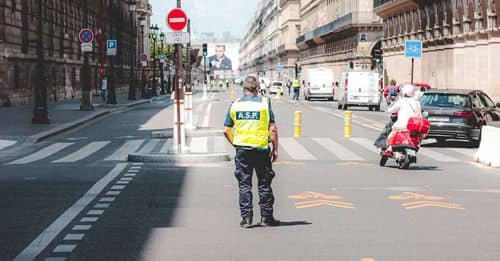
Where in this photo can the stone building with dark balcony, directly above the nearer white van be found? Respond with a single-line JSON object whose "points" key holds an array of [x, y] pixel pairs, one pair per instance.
{"points": [[336, 33]]}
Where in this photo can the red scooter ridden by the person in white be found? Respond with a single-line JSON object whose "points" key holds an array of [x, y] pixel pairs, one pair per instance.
{"points": [[406, 143]]}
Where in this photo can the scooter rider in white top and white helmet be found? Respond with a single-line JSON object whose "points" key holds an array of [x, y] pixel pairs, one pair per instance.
{"points": [[406, 107]]}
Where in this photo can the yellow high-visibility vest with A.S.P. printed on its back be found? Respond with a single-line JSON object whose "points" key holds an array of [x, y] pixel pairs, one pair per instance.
{"points": [[251, 123]]}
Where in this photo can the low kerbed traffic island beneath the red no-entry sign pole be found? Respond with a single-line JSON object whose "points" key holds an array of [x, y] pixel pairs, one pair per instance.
{"points": [[182, 158]]}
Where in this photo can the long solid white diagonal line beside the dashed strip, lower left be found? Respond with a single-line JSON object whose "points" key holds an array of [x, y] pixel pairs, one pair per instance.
{"points": [[45, 238]]}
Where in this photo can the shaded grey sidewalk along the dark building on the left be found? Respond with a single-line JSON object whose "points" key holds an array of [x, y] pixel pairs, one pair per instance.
{"points": [[17, 127]]}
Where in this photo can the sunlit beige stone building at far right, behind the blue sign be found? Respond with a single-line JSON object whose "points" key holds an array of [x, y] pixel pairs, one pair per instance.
{"points": [[461, 41]]}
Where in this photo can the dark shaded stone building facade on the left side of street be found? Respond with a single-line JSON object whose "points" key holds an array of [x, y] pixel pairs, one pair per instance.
{"points": [[62, 21]]}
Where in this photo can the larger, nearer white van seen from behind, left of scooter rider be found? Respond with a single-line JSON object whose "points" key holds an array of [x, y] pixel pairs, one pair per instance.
{"points": [[359, 88]]}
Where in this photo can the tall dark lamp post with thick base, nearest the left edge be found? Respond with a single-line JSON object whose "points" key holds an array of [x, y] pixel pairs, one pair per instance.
{"points": [[40, 113]]}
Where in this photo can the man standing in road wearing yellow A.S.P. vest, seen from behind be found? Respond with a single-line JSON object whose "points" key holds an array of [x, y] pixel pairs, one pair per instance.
{"points": [[249, 127]]}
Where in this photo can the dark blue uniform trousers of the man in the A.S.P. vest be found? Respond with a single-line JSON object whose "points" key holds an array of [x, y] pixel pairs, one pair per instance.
{"points": [[246, 161]]}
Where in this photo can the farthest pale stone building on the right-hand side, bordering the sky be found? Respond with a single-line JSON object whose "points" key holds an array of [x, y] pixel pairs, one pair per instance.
{"points": [[269, 40]]}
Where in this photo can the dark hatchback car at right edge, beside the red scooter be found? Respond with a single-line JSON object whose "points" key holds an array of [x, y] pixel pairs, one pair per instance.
{"points": [[458, 114]]}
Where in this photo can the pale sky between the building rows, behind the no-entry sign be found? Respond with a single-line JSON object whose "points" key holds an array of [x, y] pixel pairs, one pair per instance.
{"points": [[208, 15]]}
